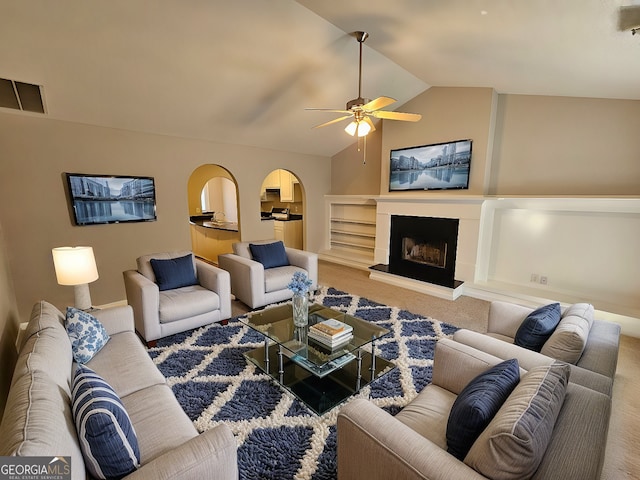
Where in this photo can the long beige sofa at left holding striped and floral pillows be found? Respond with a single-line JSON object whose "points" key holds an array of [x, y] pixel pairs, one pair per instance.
{"points": [[38, 418]]}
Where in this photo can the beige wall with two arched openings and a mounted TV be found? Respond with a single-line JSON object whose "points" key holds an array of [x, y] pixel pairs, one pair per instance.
{"points": [[34, 208]]}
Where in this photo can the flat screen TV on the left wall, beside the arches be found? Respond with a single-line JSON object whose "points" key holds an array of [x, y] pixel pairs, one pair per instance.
{"points": [[98, 199]]}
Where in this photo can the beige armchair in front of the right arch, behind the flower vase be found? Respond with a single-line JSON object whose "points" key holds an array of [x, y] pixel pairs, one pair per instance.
{"points": [[255, 285]]}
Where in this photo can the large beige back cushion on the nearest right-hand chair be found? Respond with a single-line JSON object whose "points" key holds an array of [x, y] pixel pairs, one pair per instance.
{"points": [[515, 441]]}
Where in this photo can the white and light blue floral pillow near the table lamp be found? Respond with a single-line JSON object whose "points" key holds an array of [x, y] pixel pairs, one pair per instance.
{"points": [[86, 333]]}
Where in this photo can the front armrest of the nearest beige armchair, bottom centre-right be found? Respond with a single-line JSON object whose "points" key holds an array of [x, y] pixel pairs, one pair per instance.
{"points": [[374, 445]]}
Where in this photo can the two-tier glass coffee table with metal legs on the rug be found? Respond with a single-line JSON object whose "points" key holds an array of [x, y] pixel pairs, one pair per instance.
{"points": [[320, 376]]}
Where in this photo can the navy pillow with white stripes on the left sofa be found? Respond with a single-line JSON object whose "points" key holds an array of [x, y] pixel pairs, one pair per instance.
{"points": [[107, 438]]}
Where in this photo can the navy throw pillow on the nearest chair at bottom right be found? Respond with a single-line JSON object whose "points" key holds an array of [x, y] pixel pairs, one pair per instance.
{"points": [[477, 404]]}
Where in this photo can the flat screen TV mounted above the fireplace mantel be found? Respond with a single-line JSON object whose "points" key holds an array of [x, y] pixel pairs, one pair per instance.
{"points": [[439, 166]]}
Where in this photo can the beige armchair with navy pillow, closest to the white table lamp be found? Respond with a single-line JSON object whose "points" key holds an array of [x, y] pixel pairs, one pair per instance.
{"points": [[202, 294]]}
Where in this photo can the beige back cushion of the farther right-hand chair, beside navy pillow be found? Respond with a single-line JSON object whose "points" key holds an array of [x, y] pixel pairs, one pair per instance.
{"points": [[569, 339]]}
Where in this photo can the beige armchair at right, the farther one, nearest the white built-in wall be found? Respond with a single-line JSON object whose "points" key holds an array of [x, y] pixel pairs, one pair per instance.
{"points": [[588, 344]]}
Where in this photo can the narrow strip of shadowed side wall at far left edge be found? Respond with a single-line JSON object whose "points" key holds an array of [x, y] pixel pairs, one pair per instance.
{"points": [[8, 324]]}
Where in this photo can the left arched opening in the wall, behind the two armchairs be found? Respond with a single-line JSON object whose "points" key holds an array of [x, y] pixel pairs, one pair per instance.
{"points": [[213, 211]]}
